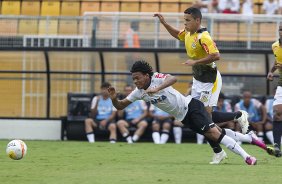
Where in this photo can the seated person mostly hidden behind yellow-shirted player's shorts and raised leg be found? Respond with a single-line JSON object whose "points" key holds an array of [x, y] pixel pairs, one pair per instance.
{"points": [[224, 106]]}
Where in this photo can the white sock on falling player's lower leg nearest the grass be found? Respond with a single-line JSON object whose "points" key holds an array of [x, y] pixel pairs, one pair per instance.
{"points": [[234, 147]]}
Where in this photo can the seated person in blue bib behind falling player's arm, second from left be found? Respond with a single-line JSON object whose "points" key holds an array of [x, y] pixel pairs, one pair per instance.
{"points": [[132, 116]]}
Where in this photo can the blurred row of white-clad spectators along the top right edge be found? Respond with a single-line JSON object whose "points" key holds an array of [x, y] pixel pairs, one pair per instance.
{"points": [[246, 7]]}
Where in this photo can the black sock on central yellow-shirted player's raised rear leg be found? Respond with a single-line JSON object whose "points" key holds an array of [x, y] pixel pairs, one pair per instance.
{"points": [[220, 117]]}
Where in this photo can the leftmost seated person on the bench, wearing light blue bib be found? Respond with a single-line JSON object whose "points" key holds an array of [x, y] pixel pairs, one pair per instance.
{"points": [[102, 115]]}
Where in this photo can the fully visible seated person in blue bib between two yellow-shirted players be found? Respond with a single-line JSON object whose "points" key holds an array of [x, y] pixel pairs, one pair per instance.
{"points": [[256, 111]]}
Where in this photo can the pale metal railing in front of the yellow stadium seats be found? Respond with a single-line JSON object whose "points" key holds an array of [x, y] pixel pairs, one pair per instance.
{"points": [[107, 29]]}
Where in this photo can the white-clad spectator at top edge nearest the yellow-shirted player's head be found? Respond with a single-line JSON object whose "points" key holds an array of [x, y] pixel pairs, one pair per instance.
{"points": [[229, 6]]}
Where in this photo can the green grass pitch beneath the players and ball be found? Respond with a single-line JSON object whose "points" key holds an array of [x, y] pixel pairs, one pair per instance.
{"points": [[80, 162]]}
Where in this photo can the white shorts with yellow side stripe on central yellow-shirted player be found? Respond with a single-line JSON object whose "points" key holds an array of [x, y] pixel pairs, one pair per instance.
{"points": [[207, 93]]}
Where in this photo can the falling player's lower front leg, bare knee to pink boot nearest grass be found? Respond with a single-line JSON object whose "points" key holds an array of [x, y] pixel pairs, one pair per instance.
{"points": [[214, 135]]}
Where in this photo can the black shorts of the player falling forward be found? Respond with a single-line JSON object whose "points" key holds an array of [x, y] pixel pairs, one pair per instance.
{"points": [[197, 118]]}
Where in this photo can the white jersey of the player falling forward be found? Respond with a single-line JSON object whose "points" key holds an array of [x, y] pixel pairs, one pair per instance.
{"points": [[168, 99]]}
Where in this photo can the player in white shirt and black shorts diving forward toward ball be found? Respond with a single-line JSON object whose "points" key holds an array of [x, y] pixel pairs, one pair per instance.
{"points": [[156, 88]]}
